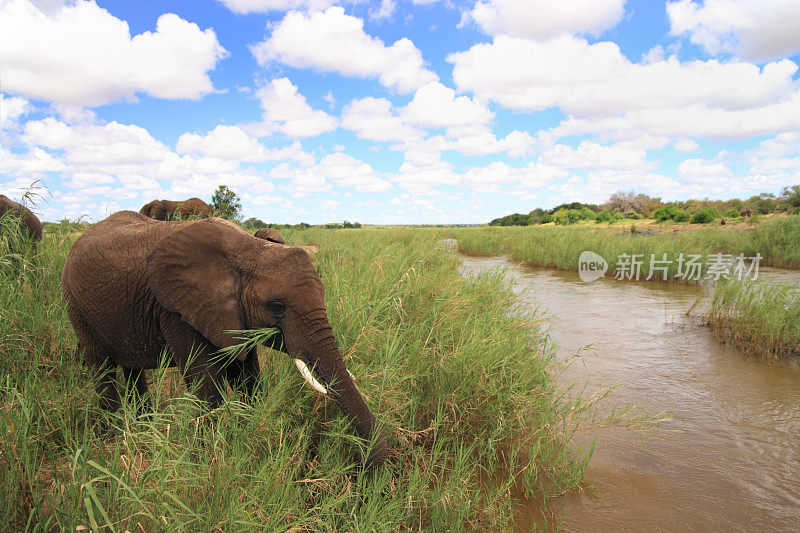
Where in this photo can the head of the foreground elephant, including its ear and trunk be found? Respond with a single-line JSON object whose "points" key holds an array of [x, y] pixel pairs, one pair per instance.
{"points": [[220, 278]]}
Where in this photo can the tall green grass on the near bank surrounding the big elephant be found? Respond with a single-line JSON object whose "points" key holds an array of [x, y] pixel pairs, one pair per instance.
{"points": [[462, 388]]}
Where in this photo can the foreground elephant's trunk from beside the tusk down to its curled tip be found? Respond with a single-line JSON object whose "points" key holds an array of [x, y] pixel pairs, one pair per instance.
{"points": [[331, 370]]}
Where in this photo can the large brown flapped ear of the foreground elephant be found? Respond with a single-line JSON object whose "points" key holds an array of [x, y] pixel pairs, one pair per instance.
{"points": [[190, 273]]}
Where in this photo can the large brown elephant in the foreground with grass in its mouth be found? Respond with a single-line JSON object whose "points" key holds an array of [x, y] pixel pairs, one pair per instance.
{"points": [[135, 286]]}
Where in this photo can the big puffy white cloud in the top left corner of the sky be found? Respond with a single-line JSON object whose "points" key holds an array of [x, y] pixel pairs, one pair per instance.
{"points": [[80, 54]]}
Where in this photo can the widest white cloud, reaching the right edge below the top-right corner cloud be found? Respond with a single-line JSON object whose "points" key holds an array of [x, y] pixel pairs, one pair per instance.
{"points": [[601, 90]]}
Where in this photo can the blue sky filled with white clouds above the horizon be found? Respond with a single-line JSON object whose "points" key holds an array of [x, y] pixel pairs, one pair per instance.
{"points": [[396, 111]]}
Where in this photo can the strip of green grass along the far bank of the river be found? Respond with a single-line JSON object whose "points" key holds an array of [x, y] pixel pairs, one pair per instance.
{"points": [[776, 239]]}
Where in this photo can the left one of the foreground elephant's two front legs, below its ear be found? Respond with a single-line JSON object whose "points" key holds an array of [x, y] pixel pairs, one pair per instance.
{"points": [[195, 355]]}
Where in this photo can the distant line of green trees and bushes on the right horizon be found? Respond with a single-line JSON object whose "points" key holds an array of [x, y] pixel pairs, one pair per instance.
{"points": [[628, 205]]}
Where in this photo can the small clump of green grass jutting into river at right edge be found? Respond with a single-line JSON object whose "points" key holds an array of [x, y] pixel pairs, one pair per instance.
{"points": [[762, 318]]}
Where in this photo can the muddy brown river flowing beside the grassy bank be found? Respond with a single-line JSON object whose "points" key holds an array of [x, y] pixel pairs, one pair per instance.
{"points": [[728, 459]]}
